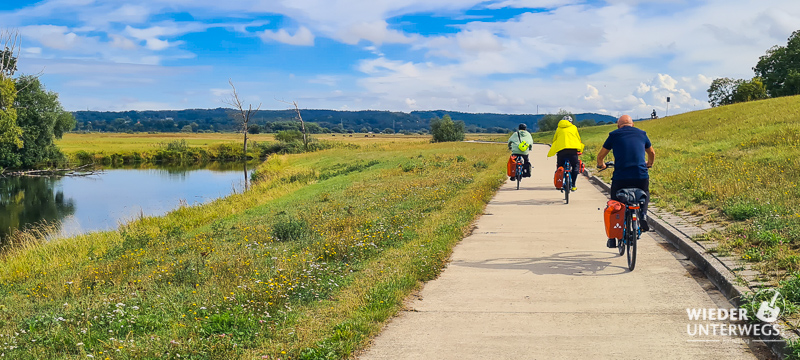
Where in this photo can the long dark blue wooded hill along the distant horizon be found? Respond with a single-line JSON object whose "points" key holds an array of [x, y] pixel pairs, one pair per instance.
{"points": [[220, 119]]}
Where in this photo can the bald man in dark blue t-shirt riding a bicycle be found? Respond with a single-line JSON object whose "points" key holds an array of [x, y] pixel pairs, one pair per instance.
{"points": [[630, 168]]}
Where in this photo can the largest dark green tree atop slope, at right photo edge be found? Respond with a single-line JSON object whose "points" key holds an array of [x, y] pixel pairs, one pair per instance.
{"points": [[780, 68]]}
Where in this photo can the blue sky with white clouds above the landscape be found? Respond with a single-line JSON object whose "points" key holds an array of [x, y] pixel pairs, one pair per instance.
{"points": [[510, 56]]}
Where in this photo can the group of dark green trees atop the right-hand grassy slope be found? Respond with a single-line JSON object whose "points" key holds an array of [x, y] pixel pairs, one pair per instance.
{"points": [[777, 74]]}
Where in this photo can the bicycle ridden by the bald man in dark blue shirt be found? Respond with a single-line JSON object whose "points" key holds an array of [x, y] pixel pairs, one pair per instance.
{"points": [[632, 199]]}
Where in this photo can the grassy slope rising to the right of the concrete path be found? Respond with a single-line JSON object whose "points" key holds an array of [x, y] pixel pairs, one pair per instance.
{"points": [[738, 165]]}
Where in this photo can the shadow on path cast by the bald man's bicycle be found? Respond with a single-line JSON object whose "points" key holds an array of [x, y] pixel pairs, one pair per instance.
{"points": [[578, 263]]}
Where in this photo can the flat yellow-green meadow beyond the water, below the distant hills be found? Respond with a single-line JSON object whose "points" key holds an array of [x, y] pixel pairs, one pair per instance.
{"points": [[123, 148]]}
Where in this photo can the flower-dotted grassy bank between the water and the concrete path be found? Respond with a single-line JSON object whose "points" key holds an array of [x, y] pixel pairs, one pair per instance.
{"points": [[308, 264]]}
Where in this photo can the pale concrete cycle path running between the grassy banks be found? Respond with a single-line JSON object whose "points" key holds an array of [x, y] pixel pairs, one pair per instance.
{"points": [[535, 281]]}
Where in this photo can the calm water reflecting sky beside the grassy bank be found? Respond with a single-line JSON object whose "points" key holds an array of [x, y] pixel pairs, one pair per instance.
{"points": [[104, 201]]}
